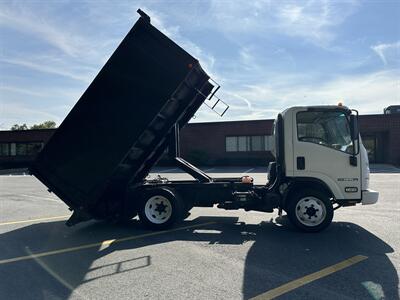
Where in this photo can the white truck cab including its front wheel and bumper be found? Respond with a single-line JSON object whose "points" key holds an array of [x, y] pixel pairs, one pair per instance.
{"points": [[319, 156]]}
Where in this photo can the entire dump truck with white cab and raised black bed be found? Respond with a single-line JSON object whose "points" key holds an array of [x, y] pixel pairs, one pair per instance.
{"points": [[98, 160]]}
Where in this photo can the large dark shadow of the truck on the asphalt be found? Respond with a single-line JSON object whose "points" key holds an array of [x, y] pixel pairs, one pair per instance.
{"points": [[278, 255]]}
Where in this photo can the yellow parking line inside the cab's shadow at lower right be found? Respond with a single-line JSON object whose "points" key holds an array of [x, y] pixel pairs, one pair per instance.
{"points": [[283, 289]]}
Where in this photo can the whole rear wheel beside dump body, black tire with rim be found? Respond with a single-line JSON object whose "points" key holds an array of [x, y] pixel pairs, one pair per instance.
{"points": [[160, 208]]}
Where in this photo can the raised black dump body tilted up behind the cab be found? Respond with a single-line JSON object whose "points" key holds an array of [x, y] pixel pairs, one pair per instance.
{"points": [[121, 125]]}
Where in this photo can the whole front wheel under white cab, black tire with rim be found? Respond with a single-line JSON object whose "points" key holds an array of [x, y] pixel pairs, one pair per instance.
{"points": [[310, 210]]}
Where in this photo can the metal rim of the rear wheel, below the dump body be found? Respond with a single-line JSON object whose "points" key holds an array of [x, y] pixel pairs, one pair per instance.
{"points": [[158, 209]]}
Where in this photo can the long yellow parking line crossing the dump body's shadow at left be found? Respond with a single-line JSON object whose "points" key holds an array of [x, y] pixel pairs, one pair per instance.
{"points": [[102, 243]]}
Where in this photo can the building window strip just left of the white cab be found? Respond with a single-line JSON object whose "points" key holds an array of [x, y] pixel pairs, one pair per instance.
{"points": [[248, 143]]}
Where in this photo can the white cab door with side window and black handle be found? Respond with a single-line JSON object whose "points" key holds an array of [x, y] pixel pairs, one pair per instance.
{"points": [[322, 148]]}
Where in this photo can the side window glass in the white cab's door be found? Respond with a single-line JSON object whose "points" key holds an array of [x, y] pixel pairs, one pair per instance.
{"points": [[326, 128]]}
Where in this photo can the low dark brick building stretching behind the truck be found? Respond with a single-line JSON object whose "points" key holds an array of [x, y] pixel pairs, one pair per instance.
{"points": [[222, 143]]}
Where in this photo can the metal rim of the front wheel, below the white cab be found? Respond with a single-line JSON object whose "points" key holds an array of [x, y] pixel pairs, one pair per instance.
{"points": [[310, 211]]}
